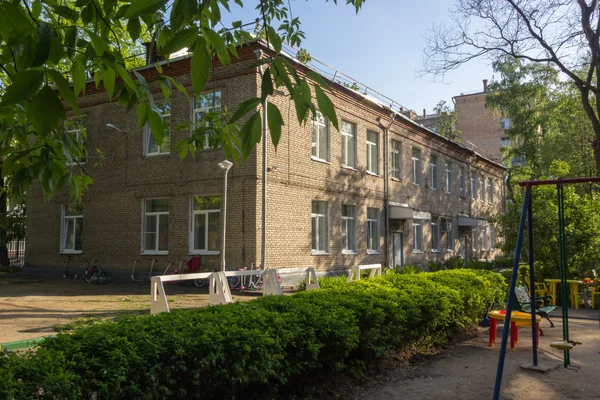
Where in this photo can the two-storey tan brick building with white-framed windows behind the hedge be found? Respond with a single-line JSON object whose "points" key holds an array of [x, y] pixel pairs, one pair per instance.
{"points": [[329, 204]]}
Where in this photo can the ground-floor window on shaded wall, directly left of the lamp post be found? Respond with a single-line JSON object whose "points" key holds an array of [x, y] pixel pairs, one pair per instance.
{"points": [[205, 237]]}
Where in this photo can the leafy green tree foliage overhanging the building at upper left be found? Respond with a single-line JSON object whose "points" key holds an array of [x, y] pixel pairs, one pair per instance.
{"points": [[49, 48]]}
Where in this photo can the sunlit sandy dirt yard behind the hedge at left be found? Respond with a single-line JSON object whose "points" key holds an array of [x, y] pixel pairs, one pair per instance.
{"points": [[32, 307]]}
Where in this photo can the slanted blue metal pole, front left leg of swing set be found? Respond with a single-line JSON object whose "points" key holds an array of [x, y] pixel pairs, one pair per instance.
{"points": [[511, 294]]}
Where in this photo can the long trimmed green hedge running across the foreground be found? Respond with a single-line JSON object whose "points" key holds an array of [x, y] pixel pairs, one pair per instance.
{"points": [[258, 348]]}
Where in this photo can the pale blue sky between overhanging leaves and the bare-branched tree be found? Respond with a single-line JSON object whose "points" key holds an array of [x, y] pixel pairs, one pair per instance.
{"points": [[381, 46]]}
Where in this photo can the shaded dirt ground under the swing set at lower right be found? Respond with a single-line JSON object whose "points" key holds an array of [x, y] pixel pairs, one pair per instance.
{"points": [[468, 370]]}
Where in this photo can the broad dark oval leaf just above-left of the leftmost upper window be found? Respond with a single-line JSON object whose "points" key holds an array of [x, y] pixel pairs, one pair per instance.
{"points": [[46, 110]]}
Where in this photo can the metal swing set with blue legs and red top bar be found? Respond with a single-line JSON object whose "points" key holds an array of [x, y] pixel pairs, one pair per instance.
{"points": [[527, 214]]}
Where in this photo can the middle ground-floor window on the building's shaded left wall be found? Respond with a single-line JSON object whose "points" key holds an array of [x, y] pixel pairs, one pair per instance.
{"points": [[155, 226]]}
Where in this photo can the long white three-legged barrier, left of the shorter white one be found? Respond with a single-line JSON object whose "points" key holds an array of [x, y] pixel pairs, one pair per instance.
{"points": [[218, 290]]}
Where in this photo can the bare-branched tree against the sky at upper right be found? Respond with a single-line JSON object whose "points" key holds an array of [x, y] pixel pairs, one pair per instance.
{"points": [[562, 34]]}
